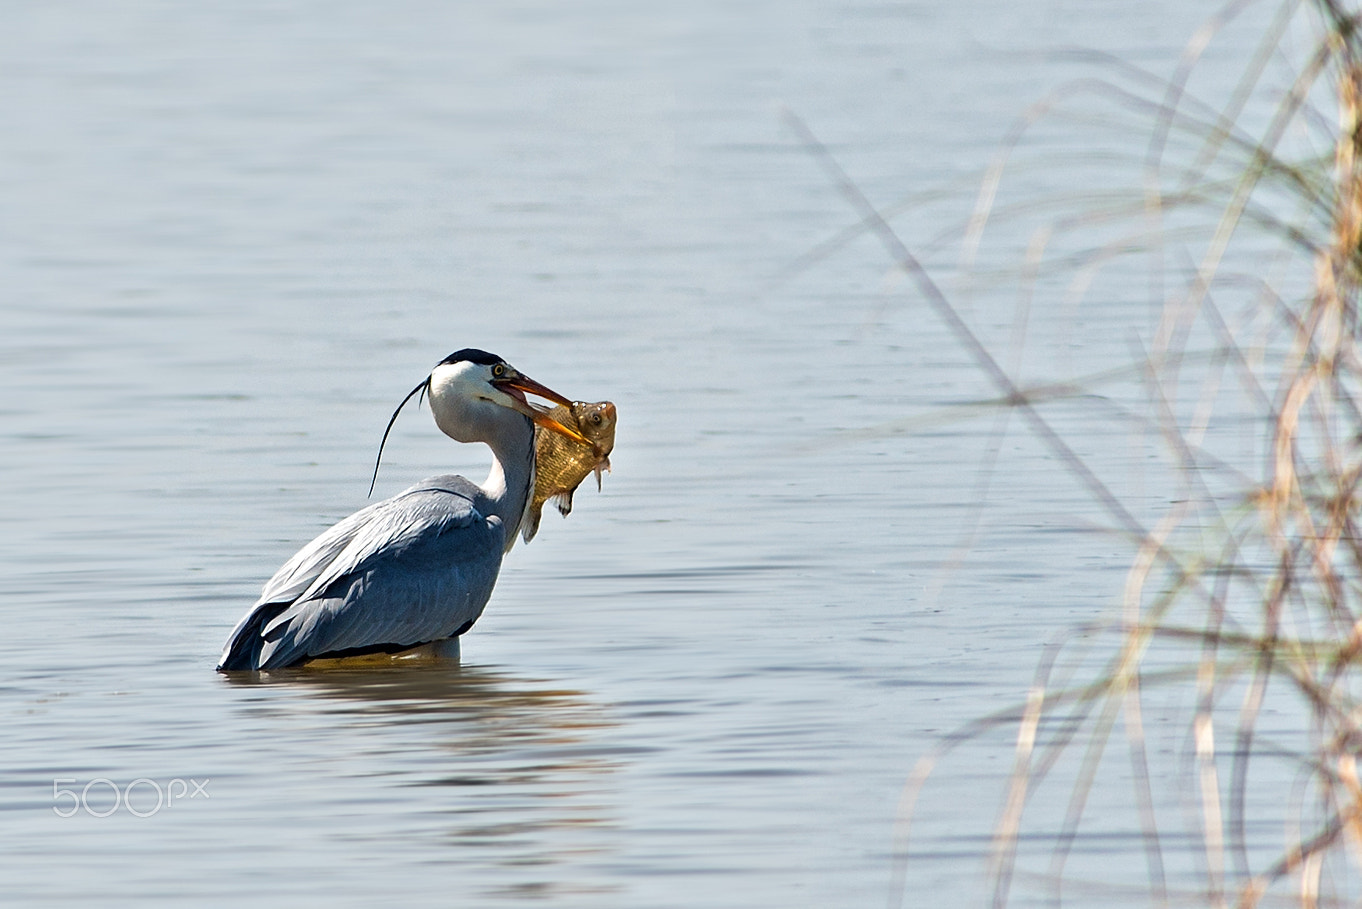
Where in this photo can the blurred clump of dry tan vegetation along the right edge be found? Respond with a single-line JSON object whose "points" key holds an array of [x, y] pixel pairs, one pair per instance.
{"points": [[1241, 615]]}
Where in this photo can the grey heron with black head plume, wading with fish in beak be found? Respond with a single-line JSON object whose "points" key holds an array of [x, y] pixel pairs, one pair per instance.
{"points": [[417, 568]]}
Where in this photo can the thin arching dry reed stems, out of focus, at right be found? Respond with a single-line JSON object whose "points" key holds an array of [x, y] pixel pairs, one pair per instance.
{"points": [[1292, 551]]}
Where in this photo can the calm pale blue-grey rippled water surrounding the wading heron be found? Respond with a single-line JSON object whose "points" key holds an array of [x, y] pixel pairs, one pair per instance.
{"points": [[231, 241]]}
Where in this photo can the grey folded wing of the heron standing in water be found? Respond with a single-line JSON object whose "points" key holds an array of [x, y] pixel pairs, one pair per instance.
{"points": [[413, 569]]}
